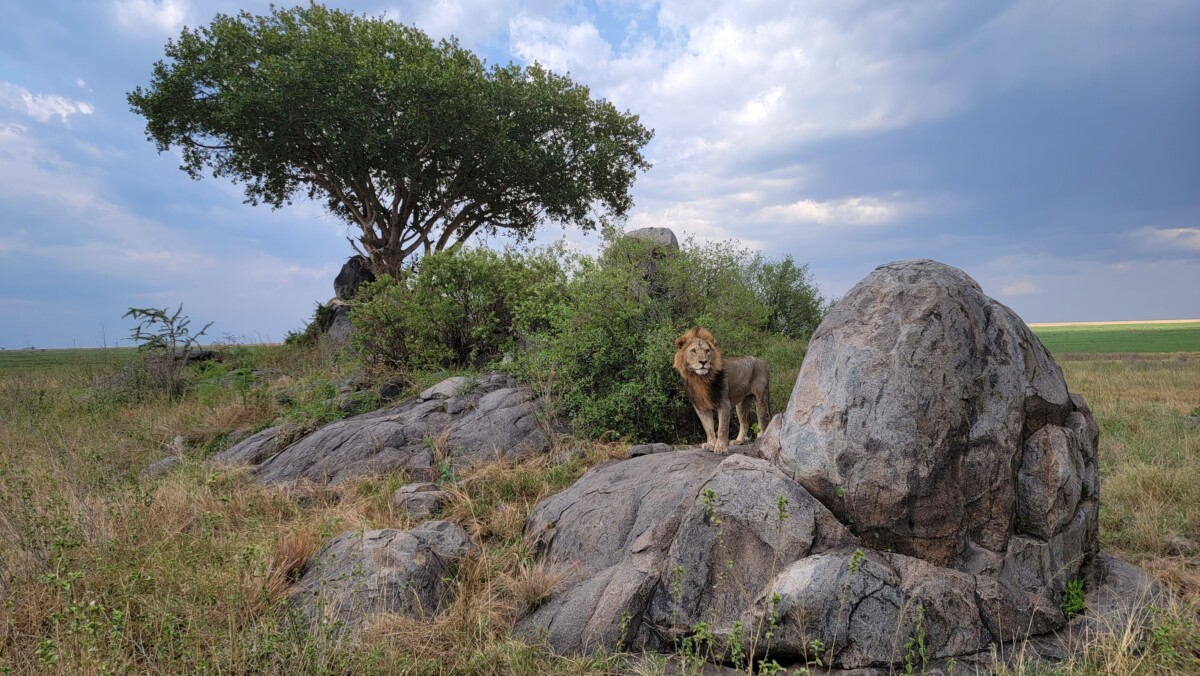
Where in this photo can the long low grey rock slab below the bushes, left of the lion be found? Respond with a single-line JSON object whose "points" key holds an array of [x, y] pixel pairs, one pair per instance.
{"points": [[495, 420]]}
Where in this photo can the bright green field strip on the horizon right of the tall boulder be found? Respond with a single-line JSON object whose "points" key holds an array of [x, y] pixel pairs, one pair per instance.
{"points": [[1183, 337]]}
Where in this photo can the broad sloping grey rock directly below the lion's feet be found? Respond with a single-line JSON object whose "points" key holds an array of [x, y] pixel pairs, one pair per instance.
{"points": [[639, 540]]}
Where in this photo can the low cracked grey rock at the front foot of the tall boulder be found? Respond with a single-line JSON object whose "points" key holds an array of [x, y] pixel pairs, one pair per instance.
{"points": [[866, 606]]}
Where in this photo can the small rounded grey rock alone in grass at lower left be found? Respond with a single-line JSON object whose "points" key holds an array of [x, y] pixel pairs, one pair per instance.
{"points": [[362, 573]]}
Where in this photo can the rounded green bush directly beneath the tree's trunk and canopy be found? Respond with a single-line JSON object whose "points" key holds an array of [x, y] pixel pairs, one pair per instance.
{"points": [[457, 309]]}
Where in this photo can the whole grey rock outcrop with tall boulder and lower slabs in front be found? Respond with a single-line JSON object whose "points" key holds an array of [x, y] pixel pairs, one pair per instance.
{"points": [[931, 480]]}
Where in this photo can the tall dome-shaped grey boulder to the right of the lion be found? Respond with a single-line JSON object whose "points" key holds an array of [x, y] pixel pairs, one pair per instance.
{"points": [[932, 420]]}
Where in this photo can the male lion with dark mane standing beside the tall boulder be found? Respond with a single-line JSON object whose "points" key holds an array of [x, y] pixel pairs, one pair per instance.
{"points": [[715, 382]]}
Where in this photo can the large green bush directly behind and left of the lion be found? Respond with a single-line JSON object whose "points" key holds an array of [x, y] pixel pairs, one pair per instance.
{"points": [[608, 352]]}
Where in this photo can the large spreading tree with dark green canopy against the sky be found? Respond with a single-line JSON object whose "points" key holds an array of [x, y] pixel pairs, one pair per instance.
{"points": [[417, 143]]}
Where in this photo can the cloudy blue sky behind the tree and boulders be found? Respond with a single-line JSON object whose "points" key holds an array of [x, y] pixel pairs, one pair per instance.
{"points": [[1051, 149]]}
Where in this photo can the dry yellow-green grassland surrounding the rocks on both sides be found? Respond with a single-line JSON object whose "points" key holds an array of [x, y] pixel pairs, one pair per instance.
{"points": [[105, 570]]}
